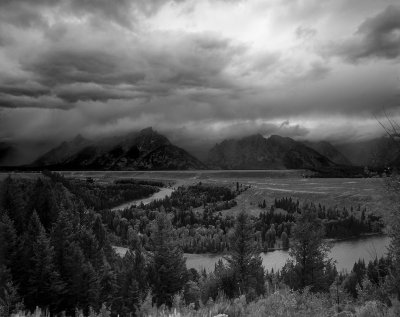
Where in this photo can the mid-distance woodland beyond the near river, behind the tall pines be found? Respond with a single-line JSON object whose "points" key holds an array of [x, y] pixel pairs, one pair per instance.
{"points": [[207, 231]]}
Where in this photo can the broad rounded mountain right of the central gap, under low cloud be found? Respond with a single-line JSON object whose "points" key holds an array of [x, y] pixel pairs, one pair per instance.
{"points": [[257, 152]]}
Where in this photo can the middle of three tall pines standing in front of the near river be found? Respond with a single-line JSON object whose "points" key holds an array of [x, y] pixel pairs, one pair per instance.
{"points": [[244, 259]]}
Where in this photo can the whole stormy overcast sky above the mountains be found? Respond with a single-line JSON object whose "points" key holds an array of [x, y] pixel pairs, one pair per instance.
{"points": [[198, 69]]}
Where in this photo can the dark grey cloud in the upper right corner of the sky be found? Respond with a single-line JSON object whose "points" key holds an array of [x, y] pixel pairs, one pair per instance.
{"points": [[376, 37]]}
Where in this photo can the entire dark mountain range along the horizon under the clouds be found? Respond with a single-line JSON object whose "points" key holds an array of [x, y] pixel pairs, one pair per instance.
{"points": [[150, 150]]}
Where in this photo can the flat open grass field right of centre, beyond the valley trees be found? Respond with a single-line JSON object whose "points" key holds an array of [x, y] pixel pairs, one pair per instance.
{"points": [[370, 193]]}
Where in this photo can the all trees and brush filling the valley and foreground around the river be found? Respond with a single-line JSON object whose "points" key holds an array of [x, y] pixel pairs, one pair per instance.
{"points": [[56, 253]]}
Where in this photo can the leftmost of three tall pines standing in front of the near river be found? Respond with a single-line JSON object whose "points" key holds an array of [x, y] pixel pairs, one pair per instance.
{"points": [[168, 270]]}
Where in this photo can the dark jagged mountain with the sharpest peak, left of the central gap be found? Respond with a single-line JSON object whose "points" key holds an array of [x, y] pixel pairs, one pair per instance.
{"points": [[144, 150]]}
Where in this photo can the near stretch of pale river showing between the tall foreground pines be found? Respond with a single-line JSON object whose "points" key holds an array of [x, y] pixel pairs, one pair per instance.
{"points": [[345, 253]]}
